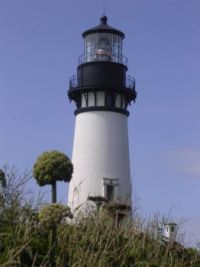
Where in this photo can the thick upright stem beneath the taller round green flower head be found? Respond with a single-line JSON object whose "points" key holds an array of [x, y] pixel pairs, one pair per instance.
{"points": [[53, 230]]}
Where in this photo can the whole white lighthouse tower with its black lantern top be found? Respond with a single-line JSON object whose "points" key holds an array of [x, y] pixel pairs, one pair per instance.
{"points": [[102, 93]]}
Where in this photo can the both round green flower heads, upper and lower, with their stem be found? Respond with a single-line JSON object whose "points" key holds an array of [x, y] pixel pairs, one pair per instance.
{"points": [[50, 167]]}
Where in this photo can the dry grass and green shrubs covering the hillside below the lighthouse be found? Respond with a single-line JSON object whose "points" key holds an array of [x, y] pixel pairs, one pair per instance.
{"points": [[94, 239]]}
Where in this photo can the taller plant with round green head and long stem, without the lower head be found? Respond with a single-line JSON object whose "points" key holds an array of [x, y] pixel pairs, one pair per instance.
{"points": [[50, 167]]}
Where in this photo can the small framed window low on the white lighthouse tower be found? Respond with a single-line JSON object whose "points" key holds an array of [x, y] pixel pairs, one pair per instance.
{"points": [[110, 188]]}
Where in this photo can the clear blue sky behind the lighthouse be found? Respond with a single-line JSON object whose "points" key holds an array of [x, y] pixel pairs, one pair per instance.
{"points": [[40, 41]]}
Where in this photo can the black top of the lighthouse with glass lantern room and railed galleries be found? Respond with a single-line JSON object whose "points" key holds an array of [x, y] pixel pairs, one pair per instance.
{"points": [[101, 82]]}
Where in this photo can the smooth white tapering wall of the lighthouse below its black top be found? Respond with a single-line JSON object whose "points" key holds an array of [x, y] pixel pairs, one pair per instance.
{"points": [[100, 157]]}
